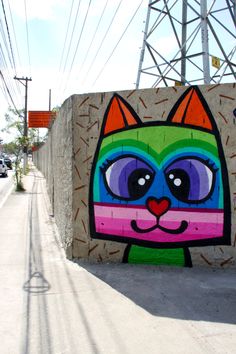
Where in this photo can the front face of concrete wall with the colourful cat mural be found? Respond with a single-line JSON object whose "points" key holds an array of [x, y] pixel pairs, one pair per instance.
{"points": [[153, 176]]}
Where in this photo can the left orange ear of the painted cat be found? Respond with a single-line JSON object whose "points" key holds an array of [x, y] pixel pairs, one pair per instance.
{"points": [[119, 115]]}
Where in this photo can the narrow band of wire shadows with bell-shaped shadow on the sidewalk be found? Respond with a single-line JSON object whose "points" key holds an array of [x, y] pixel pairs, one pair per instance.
{"points": [[36, 285]]}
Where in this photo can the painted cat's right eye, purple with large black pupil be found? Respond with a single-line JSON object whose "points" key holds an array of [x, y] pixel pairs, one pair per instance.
{"points": [[190, 180]]}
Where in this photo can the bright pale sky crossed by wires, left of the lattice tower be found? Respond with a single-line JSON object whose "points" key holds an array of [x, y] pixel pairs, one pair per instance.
{"points": [[42, 57]]}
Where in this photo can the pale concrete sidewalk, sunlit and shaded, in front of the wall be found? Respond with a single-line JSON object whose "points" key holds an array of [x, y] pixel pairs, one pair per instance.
{"points": [[50, 305]]}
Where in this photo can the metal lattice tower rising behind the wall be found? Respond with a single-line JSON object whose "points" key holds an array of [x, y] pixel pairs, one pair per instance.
{"points": [[188, 42]]}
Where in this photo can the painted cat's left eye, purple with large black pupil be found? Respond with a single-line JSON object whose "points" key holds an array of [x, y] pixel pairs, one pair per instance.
{"points": [[128, 178]]}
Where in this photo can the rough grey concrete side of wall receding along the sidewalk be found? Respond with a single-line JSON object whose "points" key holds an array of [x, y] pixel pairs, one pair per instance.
{"points": [[55, 160]]}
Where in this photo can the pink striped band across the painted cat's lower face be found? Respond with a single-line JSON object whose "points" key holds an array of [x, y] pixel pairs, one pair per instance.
{"points": [[117, 221]]}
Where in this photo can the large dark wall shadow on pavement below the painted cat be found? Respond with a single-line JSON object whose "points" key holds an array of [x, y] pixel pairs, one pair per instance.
{"points": [[196, 294]]}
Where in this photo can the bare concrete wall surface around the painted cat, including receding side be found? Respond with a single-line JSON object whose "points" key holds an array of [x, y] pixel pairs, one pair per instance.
{"points": [[81, 117]]}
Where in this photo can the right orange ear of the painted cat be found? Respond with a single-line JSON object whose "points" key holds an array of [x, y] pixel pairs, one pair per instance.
{"points": [[191, 109]]}
